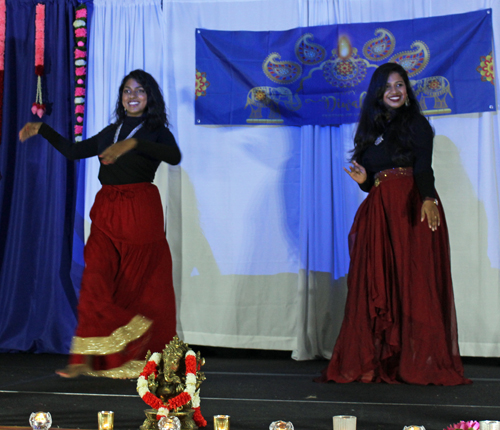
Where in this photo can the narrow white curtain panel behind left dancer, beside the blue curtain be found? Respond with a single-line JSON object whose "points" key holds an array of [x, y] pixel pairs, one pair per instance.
{"points": [[124, 35]]}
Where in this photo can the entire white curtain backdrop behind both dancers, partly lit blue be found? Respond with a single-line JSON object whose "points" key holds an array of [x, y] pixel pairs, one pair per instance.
{"points": [[258, 216]]}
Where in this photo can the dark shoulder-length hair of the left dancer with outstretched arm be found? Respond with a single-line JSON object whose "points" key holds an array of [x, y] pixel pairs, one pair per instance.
{"points": [[155, 112]]}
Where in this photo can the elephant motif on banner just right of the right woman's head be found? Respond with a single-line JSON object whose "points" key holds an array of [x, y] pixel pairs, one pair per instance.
{"points": [[436, 88]]}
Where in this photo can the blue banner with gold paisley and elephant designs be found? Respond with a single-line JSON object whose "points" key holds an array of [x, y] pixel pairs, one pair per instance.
{"points": [[319, 75]]}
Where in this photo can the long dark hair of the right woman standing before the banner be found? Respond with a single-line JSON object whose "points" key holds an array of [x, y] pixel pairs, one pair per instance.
{"points": [[375, 117]]}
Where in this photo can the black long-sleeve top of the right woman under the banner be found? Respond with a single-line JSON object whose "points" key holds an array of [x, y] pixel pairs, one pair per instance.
{"points": [[379, 157]]}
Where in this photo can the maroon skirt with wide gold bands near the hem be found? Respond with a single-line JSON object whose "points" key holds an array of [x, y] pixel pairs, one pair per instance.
{"points": [[127, 301]]}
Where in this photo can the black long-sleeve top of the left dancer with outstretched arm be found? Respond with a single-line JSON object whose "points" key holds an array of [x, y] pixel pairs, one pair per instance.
{"points": [[137, 165]]}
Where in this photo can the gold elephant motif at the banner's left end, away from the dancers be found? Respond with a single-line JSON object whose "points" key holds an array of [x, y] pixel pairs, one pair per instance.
{"points": [[259, 98]]}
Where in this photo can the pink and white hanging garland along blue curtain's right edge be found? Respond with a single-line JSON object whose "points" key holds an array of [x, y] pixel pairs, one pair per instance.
{"points": [[80, 25]]}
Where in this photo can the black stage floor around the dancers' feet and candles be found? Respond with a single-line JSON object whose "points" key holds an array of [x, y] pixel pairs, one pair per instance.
{"points": [[255, 388]]}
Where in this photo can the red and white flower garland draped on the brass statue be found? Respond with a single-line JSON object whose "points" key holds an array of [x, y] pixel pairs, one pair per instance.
{"points": [[188, 395]]}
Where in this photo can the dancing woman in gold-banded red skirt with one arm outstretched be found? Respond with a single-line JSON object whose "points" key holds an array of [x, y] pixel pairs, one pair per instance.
{"points": [[127, 302]]}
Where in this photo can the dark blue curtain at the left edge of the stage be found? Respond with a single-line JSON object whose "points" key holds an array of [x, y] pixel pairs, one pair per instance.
{"points": [[37, 192]]}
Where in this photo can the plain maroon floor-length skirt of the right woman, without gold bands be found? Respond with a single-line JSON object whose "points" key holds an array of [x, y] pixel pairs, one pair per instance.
{"points": [[400, 322]]}
